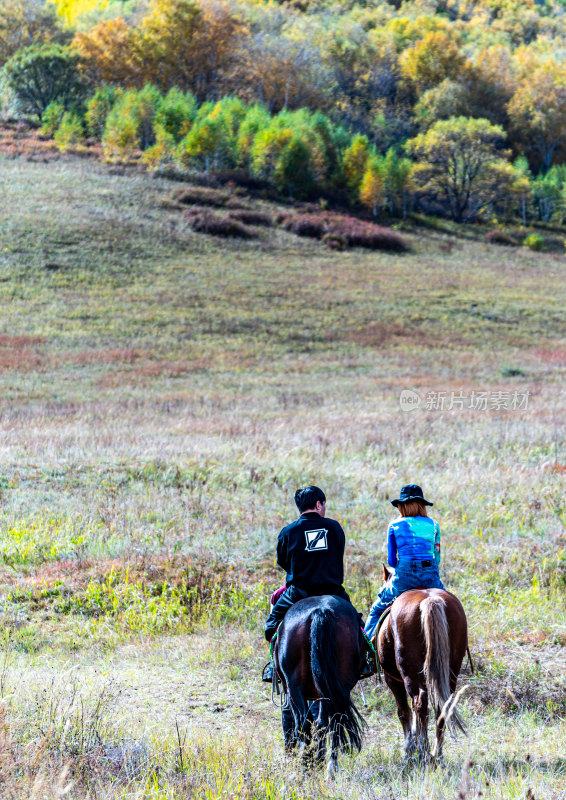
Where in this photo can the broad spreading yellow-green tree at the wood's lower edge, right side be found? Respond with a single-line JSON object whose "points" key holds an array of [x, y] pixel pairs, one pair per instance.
{"points": [[460, 165]]}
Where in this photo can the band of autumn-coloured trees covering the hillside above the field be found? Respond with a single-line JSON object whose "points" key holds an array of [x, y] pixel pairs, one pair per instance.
{"points": [[453, 108]]}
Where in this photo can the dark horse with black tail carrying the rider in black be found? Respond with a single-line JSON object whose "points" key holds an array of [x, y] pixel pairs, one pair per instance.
{"points": [[317, 656]]}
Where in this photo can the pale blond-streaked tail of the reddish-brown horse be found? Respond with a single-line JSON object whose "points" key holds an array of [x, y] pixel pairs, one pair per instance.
{"points": [[437, 661]]}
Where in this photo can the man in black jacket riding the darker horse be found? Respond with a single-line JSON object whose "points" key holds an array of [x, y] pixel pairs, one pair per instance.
{"points": [[311, 551]]}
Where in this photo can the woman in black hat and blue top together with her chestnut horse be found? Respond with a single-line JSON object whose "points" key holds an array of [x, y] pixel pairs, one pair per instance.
{"points": [[423, 641]]}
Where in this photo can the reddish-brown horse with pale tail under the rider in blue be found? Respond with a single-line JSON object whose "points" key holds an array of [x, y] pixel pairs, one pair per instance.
{"points": [[421, 646]]}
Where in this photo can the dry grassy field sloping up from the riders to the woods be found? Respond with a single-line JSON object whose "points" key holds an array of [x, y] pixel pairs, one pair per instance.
{"points": [[163, 393]]}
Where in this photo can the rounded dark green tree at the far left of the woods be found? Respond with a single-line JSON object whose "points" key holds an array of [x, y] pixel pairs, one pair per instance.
{"points": [[40, 74]]}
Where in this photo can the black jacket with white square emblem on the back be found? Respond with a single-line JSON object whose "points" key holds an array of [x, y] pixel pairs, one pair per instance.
{"points": [[311, 551]]}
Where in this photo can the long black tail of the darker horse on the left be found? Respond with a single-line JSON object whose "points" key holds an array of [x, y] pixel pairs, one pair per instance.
{"points": [[346, 724]]}
